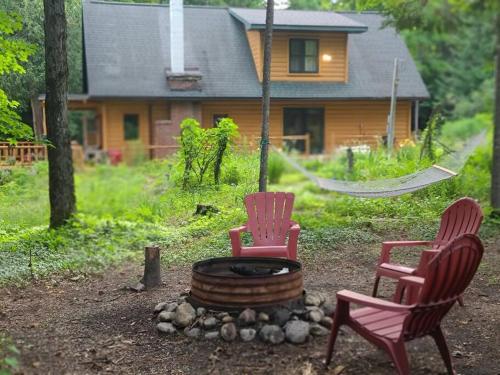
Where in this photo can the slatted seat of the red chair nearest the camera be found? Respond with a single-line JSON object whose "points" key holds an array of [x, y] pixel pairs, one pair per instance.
{"points": [[387, 324]]}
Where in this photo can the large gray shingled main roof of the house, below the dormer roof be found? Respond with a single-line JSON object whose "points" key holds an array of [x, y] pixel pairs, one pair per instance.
{"points": [[127, 54]]}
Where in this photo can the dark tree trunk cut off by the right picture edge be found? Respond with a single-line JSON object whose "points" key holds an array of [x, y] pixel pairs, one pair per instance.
{"points": [[495, 172]]}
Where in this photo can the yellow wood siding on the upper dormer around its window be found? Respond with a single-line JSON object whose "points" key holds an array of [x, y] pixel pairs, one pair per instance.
{"points": [[329, 43]]}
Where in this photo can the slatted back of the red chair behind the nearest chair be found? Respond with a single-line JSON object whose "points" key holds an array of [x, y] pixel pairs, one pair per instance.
{"points": [[463, 216]]}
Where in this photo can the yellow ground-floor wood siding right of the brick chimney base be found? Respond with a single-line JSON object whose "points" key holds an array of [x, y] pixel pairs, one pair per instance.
{"points": [[346, 122]]}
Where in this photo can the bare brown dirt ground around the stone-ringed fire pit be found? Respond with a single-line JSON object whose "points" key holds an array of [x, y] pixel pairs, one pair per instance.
{"points": [[94, 324]]}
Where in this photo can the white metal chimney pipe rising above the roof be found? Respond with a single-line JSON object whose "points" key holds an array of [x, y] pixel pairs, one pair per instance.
{"points": [[177, 36]]}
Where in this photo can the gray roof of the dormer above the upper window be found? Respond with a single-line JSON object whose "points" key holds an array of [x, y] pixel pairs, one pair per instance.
{"points": [[298, 20]]}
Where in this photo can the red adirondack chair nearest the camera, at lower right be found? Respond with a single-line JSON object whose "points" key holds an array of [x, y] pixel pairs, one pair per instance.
{"points": [[389, 325]]}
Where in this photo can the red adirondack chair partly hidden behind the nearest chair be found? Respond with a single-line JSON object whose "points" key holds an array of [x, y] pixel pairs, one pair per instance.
{"points": [[463, 216]]}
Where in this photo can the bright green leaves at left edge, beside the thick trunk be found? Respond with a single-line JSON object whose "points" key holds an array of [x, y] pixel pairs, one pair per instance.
{"points": [[13, 52]]}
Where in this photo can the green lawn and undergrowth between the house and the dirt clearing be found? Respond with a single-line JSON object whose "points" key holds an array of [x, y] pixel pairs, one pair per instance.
{"points": [[122, 209]]}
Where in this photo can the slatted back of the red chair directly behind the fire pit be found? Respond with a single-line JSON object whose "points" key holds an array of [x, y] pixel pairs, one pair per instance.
{"points": [[269, 216]]}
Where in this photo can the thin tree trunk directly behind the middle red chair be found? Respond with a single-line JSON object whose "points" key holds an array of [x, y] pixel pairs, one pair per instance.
{"points": [[266, 86]]}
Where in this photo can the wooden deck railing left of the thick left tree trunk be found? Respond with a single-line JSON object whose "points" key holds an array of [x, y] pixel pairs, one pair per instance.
{"points": [[23, 153]]}
